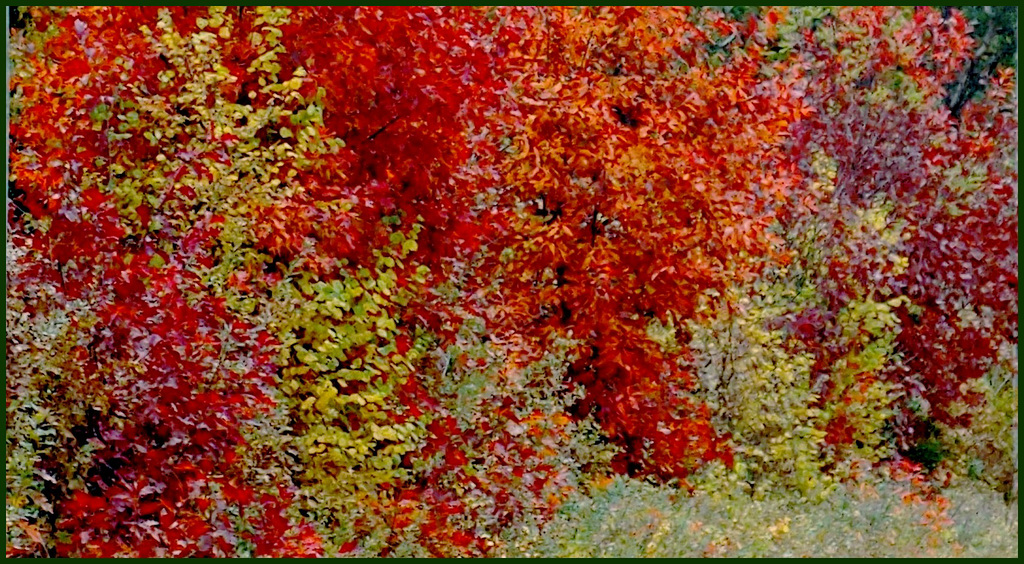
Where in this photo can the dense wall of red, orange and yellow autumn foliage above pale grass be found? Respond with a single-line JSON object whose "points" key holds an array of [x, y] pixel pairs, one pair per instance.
{"points": [[307, 282]]}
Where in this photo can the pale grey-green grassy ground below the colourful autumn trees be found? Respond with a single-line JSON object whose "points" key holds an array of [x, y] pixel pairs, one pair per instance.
{"points": [[631, 518]]}
